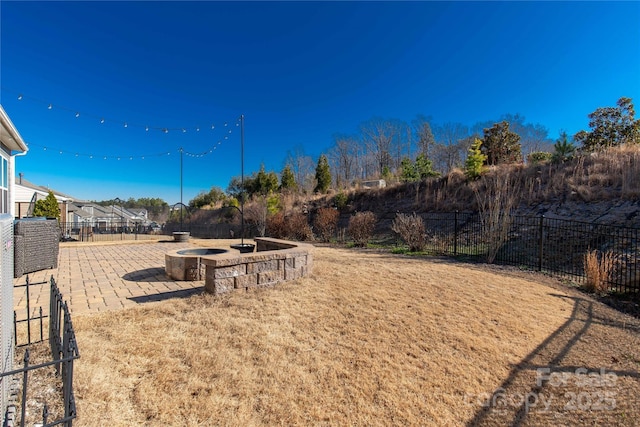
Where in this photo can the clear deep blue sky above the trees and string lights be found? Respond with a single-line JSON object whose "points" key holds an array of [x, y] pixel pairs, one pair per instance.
{"points": [[299, 72]]}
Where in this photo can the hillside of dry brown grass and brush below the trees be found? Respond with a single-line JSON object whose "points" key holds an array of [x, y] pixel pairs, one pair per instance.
{"points": [[603, 187]]}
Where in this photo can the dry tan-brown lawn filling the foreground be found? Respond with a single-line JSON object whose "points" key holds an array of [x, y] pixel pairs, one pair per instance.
{"points": [[369, 339]]}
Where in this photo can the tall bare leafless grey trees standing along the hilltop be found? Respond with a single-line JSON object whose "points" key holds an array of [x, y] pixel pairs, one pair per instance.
{"points": [[382, 148]]}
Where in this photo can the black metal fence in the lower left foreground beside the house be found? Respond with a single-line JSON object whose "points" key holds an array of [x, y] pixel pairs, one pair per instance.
{"points": [[63, 347]]}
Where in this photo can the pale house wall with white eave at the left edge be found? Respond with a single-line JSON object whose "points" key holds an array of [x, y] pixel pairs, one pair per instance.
{"points": [[11, 145]]}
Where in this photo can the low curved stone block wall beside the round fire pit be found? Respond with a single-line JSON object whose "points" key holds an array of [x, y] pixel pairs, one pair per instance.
{"points": [[276, 261]]}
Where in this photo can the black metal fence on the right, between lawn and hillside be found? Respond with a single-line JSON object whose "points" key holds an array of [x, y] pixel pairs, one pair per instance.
{"points": [[551, 245]]}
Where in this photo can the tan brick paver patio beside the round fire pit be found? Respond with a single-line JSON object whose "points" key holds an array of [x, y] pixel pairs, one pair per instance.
{"points": [[96, 278]]}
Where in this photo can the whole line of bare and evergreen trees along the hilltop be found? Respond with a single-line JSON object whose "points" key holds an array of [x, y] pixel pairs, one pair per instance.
{"points": [[393, 149]]}
